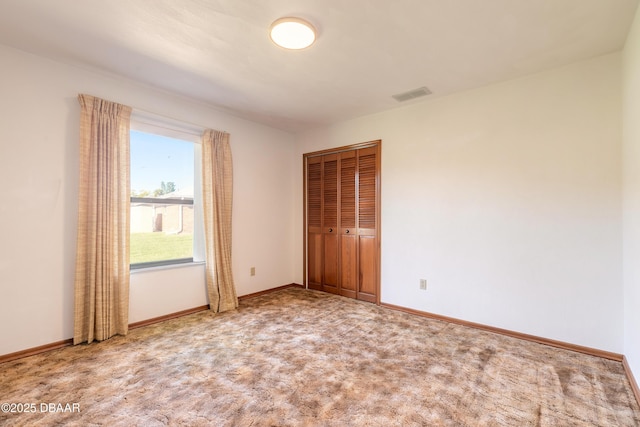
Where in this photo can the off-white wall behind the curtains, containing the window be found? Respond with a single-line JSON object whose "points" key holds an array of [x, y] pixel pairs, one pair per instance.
{"points": [[39, 169]]}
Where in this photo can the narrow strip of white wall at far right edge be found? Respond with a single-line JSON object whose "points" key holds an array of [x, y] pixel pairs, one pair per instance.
{"points": [[631, 206]]}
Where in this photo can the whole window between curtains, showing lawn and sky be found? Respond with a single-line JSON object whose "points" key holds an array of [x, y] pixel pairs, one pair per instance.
{"points": [[165, 207]]}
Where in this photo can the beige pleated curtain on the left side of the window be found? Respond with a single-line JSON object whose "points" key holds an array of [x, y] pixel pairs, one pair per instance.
{"points": [[102, 260]]}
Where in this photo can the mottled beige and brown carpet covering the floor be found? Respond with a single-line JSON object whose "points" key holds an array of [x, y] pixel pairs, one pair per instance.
{"points": [[304, 358]]}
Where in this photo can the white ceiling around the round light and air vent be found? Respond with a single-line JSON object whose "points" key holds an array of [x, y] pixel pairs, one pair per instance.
{"points": [[219, 52]]}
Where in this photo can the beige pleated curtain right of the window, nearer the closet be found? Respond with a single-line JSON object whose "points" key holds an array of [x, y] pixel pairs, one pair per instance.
{"points": [[217, 183]]}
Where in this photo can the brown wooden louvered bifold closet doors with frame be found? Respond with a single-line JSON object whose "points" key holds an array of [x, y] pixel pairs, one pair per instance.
{"points": [[342, 221]]}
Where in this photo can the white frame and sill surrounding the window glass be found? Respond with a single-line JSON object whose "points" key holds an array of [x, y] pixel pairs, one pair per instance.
{"points": [[151, 123]]}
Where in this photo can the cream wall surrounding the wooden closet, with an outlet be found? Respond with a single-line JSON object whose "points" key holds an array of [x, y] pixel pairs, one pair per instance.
{"points": [[507, 200]]}
